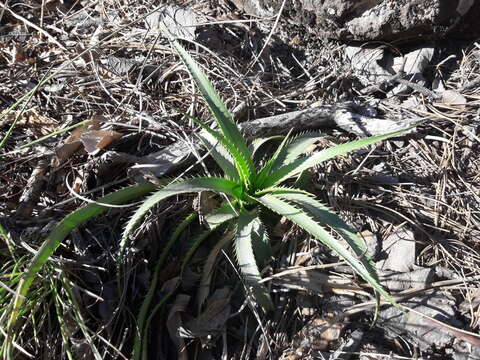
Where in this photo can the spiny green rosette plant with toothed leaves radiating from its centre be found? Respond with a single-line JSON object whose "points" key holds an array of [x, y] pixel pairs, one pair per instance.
{"points": [[250, 186]]}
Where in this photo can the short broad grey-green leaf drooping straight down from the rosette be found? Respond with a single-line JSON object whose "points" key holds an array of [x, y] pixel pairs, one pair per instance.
{"points": [[246, 259]]}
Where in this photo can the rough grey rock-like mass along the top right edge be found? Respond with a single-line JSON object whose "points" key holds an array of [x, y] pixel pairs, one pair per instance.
{"points": [[389, 20]]}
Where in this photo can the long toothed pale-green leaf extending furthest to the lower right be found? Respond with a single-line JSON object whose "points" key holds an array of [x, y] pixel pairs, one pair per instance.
{"points": [[305, 221]]}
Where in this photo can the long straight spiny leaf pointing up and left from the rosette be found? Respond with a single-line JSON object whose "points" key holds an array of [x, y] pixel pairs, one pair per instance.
{"points": [[222, 116]]}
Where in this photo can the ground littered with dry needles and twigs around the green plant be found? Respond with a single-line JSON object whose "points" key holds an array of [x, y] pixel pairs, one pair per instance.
{"points": [[415, 199]]}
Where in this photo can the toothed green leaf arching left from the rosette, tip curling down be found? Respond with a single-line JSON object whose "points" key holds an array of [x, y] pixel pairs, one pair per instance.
{"points": [[219, 185]]}
